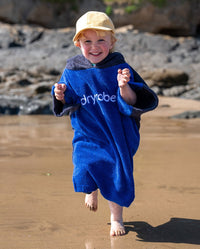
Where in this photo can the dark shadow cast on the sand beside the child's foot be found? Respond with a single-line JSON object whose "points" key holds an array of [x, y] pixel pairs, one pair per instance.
{"points": [[177, 230]]}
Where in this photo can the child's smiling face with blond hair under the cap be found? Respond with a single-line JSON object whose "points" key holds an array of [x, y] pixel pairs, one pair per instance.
{"points": [[95, 48]]}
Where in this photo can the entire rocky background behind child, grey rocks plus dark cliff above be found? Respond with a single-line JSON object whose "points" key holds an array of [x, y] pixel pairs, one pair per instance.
{"points": [[32, 57]]}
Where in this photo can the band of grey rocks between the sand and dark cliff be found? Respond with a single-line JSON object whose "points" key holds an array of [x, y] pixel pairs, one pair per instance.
{"points": [[32, 59]]}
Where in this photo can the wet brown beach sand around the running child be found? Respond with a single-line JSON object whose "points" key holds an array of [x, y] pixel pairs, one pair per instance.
{"points": [[38, 206]]}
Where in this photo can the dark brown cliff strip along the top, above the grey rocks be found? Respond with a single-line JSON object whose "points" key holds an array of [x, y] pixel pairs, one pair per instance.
{"points": [[177, 17]]}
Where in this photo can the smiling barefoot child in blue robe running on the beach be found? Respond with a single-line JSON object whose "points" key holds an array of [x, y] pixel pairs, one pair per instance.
{"points": [[104, 97]]}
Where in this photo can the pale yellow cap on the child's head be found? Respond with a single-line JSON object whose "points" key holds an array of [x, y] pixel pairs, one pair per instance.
{"points": [[93, 20]]}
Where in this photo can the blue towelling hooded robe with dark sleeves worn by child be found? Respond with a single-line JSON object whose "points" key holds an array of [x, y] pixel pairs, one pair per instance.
{"points": [[106, 128]]}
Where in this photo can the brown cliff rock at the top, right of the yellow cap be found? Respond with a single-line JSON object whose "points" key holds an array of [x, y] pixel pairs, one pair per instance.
{"points": [[171, 18]]}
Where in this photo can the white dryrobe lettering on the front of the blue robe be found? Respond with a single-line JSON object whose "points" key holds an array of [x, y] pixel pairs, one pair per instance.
{"points": [[93, 99]]}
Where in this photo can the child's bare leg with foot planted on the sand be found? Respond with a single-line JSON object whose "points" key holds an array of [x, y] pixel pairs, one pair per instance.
{"points": [[117, 226]]}
